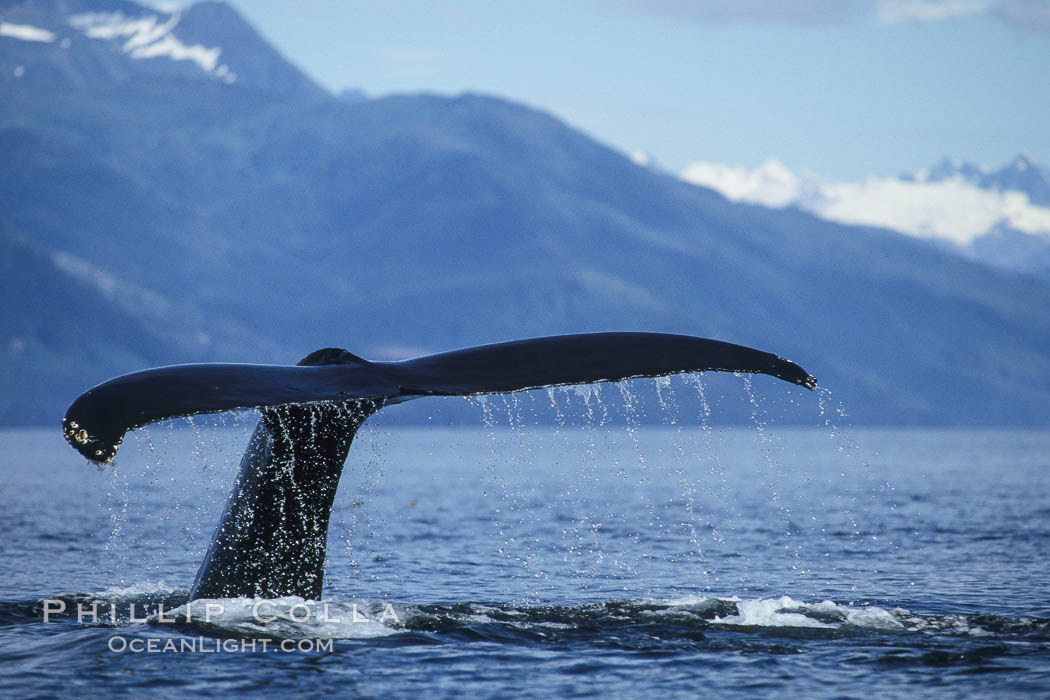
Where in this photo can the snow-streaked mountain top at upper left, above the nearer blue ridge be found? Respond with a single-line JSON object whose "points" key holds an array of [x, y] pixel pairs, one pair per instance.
{"points": [[89, 44]]}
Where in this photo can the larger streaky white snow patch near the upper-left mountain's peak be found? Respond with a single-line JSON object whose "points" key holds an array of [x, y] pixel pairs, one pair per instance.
{"points": [[150, 37]]}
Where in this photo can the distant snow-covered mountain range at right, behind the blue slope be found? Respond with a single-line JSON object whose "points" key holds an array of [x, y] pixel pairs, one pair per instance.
{"points": [[999, 216]]}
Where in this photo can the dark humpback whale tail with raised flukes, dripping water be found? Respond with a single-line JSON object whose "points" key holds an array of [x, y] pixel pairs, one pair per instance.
{"points": [[271, 540]]}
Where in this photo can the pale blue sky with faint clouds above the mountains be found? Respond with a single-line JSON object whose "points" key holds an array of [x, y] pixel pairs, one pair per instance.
{"points": [[846, 89]]}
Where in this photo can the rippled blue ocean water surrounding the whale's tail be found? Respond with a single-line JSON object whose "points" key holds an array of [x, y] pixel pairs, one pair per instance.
{"points": [[517, 557]]}
